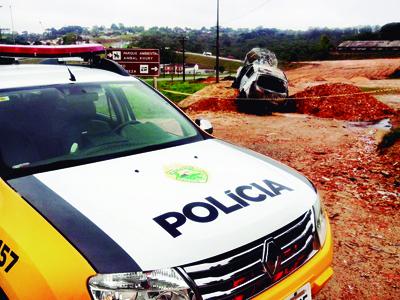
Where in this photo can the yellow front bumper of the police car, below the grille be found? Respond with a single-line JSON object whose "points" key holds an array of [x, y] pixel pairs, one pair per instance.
{"points": [[317, 271]]}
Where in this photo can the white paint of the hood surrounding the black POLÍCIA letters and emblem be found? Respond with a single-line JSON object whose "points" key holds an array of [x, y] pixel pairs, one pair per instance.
{"points": [[123, 203]]}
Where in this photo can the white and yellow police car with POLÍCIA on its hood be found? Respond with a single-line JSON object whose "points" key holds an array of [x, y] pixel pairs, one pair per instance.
{"points": [[108, 191]]}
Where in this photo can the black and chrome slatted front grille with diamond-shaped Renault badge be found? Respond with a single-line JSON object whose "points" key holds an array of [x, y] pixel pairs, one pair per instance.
{"points": [[241, 274]]}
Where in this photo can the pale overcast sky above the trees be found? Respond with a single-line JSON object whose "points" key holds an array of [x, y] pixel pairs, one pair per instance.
{"points": [[35, 16]]}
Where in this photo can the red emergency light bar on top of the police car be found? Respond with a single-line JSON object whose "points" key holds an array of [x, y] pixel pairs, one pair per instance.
{"points": [[85, 50]]}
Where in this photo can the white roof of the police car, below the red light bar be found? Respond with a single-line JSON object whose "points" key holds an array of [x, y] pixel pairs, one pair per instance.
{"points": [[29, 75]]}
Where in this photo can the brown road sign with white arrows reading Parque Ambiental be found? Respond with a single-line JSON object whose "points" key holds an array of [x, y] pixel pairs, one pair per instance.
{"points": [[139, 62]]}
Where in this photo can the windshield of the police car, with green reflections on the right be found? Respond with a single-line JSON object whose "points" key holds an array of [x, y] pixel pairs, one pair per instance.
{"points": [[75, 122]]}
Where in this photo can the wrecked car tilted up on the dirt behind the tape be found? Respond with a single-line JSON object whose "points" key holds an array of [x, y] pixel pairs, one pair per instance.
{"points": [[262, 86]]}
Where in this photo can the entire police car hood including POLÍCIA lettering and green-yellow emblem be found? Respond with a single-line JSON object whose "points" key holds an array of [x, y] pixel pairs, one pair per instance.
{"points": [[131, 199]]}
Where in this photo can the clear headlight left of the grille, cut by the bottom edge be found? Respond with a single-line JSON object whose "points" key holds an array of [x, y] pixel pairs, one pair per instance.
{"points": [[156, 285]]}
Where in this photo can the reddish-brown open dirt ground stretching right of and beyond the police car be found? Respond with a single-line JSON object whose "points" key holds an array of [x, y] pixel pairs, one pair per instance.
{"points": [[361, 188]]}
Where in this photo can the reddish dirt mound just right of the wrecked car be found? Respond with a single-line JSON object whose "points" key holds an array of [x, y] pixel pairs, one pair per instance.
{"points": [[341, 101]]}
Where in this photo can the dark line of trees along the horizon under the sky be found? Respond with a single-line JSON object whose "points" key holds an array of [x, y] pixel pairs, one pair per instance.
{"points": [[289, 45]]}
